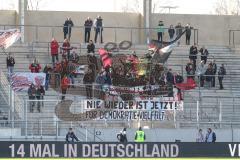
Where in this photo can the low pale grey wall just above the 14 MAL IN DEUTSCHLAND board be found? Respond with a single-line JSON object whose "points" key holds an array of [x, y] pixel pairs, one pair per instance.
{"points": [[162, 135]]}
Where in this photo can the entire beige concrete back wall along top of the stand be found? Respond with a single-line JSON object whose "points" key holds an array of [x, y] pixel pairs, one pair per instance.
{"points": [[213, 29]]}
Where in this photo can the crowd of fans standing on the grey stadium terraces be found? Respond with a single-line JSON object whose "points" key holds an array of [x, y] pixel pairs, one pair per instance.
{"points": [[63, 71]]}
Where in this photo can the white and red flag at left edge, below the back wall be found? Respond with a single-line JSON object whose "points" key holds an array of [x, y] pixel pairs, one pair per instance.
{"points": [[8, 37]]}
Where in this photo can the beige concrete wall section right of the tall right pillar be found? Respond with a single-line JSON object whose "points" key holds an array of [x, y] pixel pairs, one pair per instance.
{"points": [[213, 29]]}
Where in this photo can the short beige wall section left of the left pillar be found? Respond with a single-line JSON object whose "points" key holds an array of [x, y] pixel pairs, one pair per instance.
{"points": [[7, 18]]}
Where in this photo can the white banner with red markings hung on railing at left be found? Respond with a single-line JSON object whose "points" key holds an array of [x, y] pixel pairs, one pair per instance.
{"points": [[22, 80]]}
